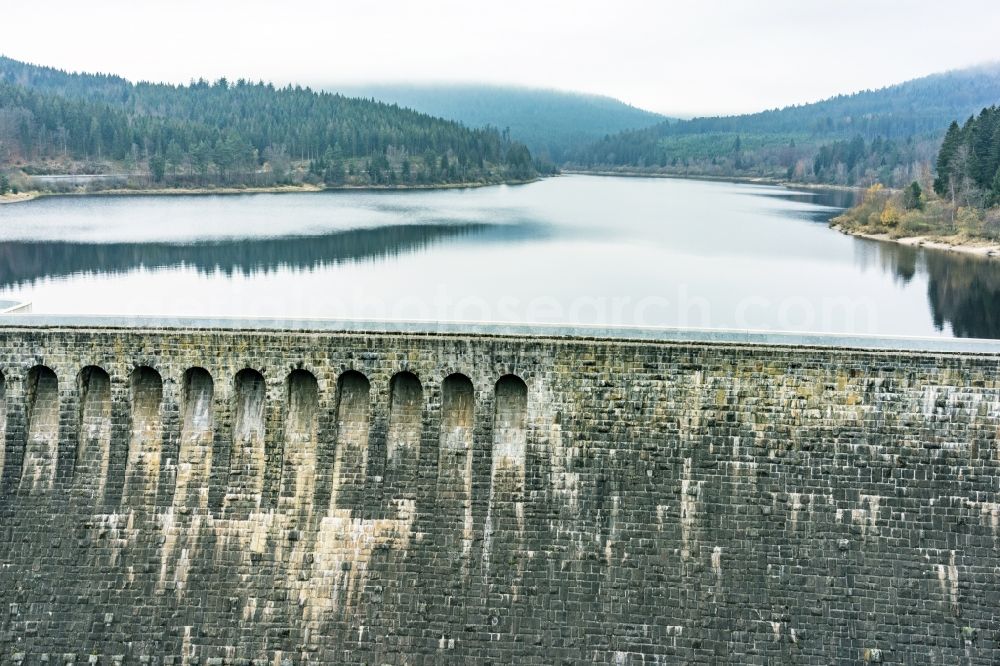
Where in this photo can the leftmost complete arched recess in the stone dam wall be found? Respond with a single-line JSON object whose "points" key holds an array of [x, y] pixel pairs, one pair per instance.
{"points": [[41, 443]]}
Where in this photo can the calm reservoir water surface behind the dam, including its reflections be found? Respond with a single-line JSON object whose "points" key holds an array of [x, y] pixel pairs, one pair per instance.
{"points": [[573, 249]]}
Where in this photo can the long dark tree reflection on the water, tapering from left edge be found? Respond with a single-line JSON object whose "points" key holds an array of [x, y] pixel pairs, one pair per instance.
{"points": [[26, 261]]}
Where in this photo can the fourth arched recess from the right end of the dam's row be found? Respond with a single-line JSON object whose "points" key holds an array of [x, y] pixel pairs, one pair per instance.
{"points": [[350, 458]]}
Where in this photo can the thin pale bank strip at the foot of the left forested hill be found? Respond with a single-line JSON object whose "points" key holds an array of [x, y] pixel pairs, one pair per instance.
{"points": [[273, 189]]}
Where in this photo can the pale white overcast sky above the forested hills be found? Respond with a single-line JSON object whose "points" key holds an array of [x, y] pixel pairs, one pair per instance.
{"points": [[679, 57]]}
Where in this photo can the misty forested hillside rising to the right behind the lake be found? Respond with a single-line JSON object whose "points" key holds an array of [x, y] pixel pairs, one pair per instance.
{"points": [[889, 135]]}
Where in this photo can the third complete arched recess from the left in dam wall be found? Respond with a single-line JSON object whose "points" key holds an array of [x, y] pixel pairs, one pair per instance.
{"points": [[145, 447]]}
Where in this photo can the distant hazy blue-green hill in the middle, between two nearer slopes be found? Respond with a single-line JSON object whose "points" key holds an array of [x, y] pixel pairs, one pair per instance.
{"points": [[553, 124]]}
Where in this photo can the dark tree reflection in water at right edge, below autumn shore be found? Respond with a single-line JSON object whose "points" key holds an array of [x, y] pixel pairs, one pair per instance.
{"points": [[963, 291]]}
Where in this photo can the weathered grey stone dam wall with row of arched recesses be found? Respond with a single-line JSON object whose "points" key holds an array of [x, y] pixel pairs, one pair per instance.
{"points": [[242, 497]]}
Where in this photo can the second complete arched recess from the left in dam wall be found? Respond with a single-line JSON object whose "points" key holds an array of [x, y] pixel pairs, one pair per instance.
{"points": [[93, 447]]}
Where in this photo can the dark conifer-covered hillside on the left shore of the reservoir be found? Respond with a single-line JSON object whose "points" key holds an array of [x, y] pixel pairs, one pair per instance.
{"points": [[234, 133]]}
